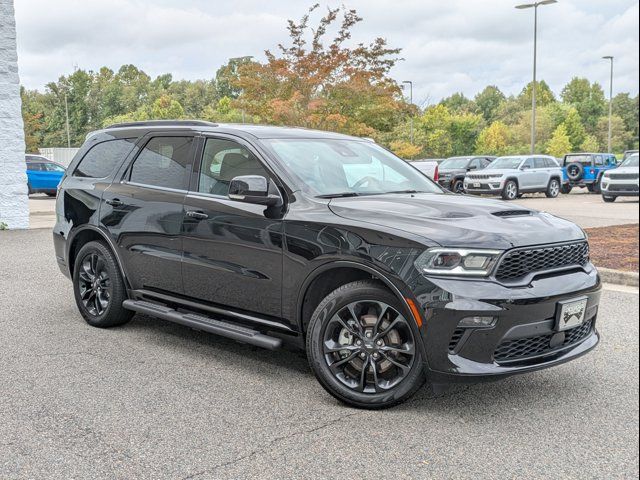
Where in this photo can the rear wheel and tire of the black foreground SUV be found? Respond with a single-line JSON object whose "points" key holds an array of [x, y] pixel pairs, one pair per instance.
{"points": [[98, 287]]}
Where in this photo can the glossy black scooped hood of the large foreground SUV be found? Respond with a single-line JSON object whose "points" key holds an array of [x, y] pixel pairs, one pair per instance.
{"points": [[459, 220]]}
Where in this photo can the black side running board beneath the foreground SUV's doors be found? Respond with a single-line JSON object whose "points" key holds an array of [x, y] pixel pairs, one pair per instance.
{"points": [[206, 324]]}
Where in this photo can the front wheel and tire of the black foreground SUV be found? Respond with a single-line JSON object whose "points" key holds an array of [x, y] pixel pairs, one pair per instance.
{"points": [[363, 347]]}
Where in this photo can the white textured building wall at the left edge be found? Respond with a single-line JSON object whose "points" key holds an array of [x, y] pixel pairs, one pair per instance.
{"points": [[14, 201]]}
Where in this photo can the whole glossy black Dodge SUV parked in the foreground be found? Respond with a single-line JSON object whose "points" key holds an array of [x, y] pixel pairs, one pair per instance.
{"points": [[269, 235]]}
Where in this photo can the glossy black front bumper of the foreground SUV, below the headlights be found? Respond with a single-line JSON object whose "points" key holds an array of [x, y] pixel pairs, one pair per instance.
{"points": [[523, 337]]}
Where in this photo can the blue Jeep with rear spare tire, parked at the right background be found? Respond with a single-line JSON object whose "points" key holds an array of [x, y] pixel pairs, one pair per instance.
{"points": [[585, 170]]}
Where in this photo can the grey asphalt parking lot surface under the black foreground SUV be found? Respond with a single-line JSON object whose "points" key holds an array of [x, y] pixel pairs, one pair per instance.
{"points": [[157, 400]]}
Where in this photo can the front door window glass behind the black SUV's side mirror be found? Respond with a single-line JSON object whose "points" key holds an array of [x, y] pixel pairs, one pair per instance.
{"points": [[223, 160]]}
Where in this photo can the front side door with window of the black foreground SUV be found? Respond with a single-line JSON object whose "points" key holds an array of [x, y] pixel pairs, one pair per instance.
{"points": [[232, 251]]}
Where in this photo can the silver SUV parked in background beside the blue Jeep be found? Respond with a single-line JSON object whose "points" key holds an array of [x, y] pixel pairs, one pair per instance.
{"points": [[513, 176]]}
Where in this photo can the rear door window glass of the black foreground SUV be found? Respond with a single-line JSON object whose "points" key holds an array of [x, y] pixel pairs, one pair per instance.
{"points": [[163, 162]]}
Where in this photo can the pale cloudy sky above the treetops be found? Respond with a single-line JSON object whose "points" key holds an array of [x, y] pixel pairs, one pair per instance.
{"points": [[447, 46]]}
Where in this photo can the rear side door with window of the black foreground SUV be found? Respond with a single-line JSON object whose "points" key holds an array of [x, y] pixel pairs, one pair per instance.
{"points": [[143, 211]]}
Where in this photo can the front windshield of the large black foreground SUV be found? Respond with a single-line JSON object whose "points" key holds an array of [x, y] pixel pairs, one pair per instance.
{"points": [[328, 168]]}
